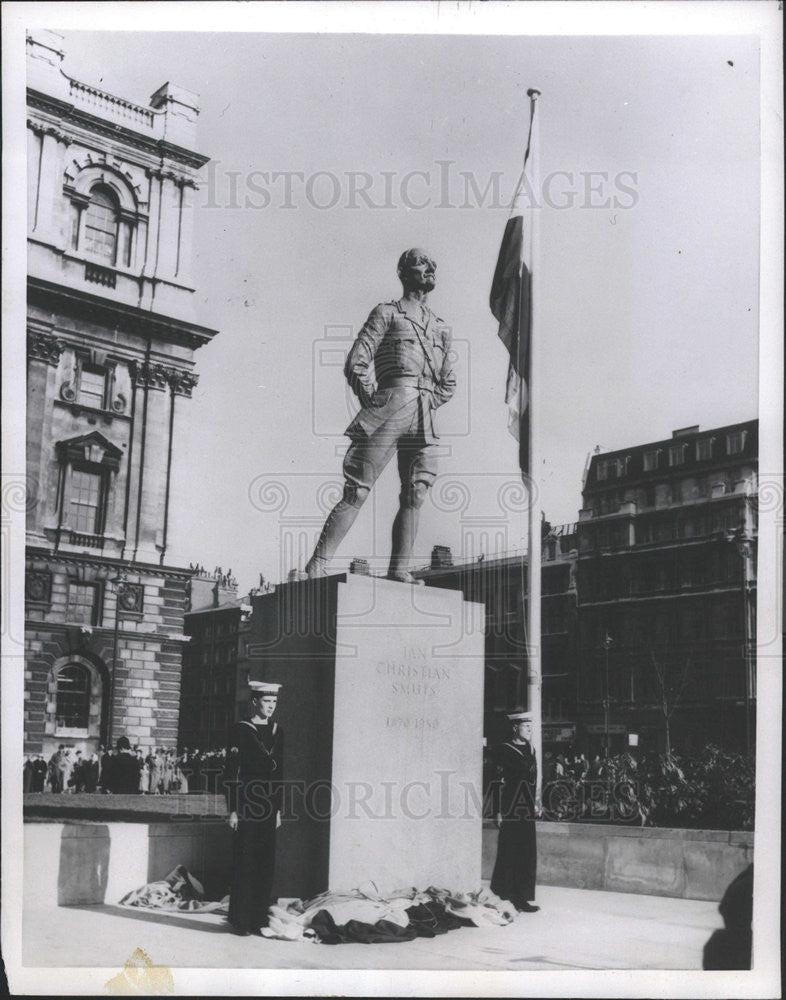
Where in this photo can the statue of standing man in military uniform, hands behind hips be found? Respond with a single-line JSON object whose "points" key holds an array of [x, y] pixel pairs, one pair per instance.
{"points": [[400, 368]]}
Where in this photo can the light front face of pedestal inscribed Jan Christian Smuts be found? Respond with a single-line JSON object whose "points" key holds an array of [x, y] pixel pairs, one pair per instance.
{"points": [[407, 739]]}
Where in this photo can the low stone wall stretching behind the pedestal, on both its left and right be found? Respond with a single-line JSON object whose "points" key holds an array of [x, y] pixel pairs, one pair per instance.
{"points": [[88, 862]]}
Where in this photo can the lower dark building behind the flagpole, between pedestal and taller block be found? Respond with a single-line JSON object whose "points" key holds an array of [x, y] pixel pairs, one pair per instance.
{"points": [[500, 583]]}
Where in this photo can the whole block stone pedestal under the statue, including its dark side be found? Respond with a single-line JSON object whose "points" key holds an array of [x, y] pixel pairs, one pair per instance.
{"points": [[382, 711]]}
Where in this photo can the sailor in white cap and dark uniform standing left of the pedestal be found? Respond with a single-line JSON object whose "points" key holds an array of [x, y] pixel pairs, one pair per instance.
{"points": [[254, 790]]}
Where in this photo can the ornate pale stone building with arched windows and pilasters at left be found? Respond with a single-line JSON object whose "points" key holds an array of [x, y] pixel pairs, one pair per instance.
{"points": [[111, 342]]}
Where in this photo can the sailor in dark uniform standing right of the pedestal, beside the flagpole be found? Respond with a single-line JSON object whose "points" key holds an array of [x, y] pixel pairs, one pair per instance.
{"points": [[516, 865]]}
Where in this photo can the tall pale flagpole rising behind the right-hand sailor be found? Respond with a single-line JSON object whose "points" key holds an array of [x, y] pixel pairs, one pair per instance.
{"points": [[533, 527]]}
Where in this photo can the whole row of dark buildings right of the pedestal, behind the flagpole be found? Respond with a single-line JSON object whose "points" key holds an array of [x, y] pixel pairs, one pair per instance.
{"points": [[648, 612]]}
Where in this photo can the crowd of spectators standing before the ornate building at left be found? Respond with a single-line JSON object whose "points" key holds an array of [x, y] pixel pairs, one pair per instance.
{"points": [[125, 769]]}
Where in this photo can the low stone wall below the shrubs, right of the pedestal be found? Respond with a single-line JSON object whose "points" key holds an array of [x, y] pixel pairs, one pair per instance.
{"points": [[688, 864]]}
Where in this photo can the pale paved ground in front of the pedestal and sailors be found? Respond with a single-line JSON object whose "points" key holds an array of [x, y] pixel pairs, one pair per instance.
{"points": [[575, 929]]}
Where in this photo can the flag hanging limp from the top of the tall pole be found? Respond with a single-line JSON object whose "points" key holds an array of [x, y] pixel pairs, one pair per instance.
{"points": [[511, 292]]}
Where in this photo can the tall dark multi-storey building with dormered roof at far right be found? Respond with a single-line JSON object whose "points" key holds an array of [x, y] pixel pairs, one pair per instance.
{"points": [[667, 591]]}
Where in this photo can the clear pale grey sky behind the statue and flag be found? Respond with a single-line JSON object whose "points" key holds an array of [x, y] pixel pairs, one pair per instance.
{"points": [[648, 267]]}
